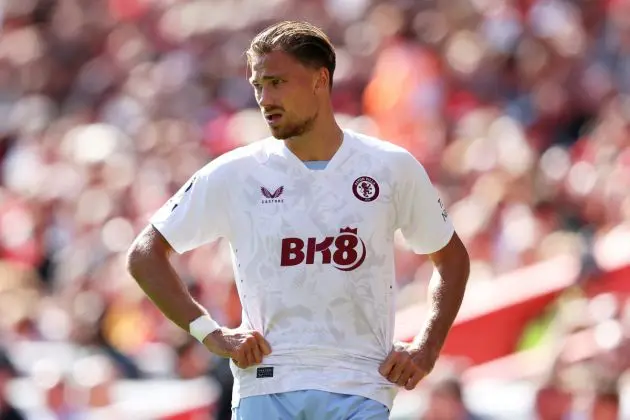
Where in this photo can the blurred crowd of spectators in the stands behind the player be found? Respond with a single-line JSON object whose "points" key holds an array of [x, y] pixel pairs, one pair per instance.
{"points": [[519, 109]]}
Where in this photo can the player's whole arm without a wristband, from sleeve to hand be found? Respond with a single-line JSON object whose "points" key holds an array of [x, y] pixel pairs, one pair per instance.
{"points": [[425, 224]]}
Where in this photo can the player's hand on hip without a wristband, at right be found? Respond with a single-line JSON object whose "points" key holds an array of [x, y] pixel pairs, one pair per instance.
{"points": [[406, 365]]}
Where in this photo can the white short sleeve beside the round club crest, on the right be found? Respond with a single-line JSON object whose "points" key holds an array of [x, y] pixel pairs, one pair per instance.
{"points": [[421, 215]]}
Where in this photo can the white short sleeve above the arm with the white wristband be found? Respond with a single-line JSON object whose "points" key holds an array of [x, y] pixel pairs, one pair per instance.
{"points": [[196, 214]]}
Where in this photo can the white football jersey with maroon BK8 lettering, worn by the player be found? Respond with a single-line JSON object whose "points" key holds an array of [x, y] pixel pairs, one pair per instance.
{"points": [[313, 255]]}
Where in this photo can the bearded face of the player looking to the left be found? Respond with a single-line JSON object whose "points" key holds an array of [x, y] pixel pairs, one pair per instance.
{"points": [[286, 92]]}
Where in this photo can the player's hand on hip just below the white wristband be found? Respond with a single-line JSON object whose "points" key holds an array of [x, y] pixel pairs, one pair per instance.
{"points": [[245, 347]]}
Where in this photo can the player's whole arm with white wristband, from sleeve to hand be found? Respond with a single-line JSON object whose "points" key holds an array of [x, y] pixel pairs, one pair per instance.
{"points": [[194, 216]]}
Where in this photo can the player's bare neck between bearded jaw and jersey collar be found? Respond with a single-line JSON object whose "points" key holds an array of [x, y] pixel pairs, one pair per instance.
{"points": [[318, 144]]}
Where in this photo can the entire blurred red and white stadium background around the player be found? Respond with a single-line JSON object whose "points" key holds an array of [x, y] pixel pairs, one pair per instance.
{"points": [[520, 111]]}
